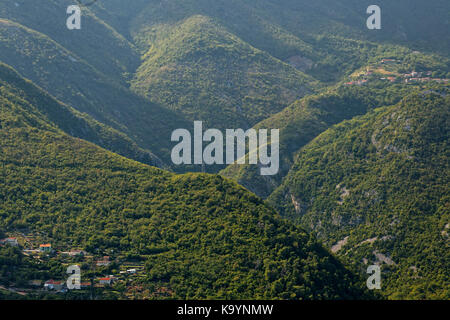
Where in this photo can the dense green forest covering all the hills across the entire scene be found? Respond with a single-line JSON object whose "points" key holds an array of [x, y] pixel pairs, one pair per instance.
{"points": [[86, 118]]}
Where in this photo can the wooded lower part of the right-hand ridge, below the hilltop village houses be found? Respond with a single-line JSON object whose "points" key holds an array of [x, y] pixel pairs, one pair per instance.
{"points": [[304, 120]]}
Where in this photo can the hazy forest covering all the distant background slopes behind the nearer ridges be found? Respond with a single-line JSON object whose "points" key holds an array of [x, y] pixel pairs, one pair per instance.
{"points": [[228, 63]]}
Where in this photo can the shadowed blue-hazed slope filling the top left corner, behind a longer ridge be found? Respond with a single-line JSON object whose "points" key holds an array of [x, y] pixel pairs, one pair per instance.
{"points": [[96, 43]]}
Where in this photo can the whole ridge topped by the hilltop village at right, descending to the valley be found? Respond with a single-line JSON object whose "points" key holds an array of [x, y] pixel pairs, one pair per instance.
{"points": [[374, 85]]}
